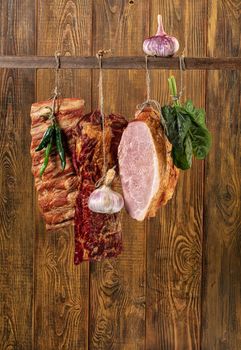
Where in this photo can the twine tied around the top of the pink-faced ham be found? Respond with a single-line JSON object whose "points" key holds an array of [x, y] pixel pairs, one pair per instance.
{"points": [[149, 102]]}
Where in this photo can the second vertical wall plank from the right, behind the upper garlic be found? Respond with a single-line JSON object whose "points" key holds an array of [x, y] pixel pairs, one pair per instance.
{"points": [[174, 243]]}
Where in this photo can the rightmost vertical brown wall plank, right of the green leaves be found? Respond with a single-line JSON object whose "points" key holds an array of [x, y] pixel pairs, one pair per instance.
{"points": [[221, 309]]}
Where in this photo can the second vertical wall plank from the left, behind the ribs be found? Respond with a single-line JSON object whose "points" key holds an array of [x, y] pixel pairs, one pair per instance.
{"points": [[61, 311]]}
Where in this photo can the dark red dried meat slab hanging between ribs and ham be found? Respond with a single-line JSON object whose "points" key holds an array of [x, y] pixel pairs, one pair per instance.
{"points": [[97, 236]]}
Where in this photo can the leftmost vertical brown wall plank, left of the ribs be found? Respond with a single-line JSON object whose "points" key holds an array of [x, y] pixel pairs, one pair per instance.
{"points": [[17, 91]]}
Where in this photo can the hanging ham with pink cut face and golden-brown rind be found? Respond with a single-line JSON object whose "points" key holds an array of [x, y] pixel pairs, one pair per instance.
{"points": [[148, 175]]}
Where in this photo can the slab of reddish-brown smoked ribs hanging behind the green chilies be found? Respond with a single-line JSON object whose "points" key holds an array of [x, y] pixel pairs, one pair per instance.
{"points": [[57, 190]]}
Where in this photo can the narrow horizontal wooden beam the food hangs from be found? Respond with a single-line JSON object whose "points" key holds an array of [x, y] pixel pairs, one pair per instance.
{"points": [[128, 62]]}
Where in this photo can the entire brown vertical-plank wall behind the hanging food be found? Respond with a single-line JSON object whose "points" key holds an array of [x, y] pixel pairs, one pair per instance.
{"points": [[177, 284]]}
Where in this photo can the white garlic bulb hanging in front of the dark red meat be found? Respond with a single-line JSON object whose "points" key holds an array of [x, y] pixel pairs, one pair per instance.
{"points": [[104, 200]]}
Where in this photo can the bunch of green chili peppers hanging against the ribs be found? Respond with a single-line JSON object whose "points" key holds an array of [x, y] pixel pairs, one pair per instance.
{"points": [[52, 135]]}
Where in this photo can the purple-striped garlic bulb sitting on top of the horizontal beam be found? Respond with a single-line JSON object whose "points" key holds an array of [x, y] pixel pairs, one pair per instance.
{"points": [[160, 44]]}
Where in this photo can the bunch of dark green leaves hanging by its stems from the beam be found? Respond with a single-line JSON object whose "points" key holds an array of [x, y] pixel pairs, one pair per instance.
{"points": [[187, 130]]}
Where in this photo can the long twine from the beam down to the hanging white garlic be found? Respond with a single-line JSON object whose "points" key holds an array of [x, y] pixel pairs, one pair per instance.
{"points": [[99, 56]]}
